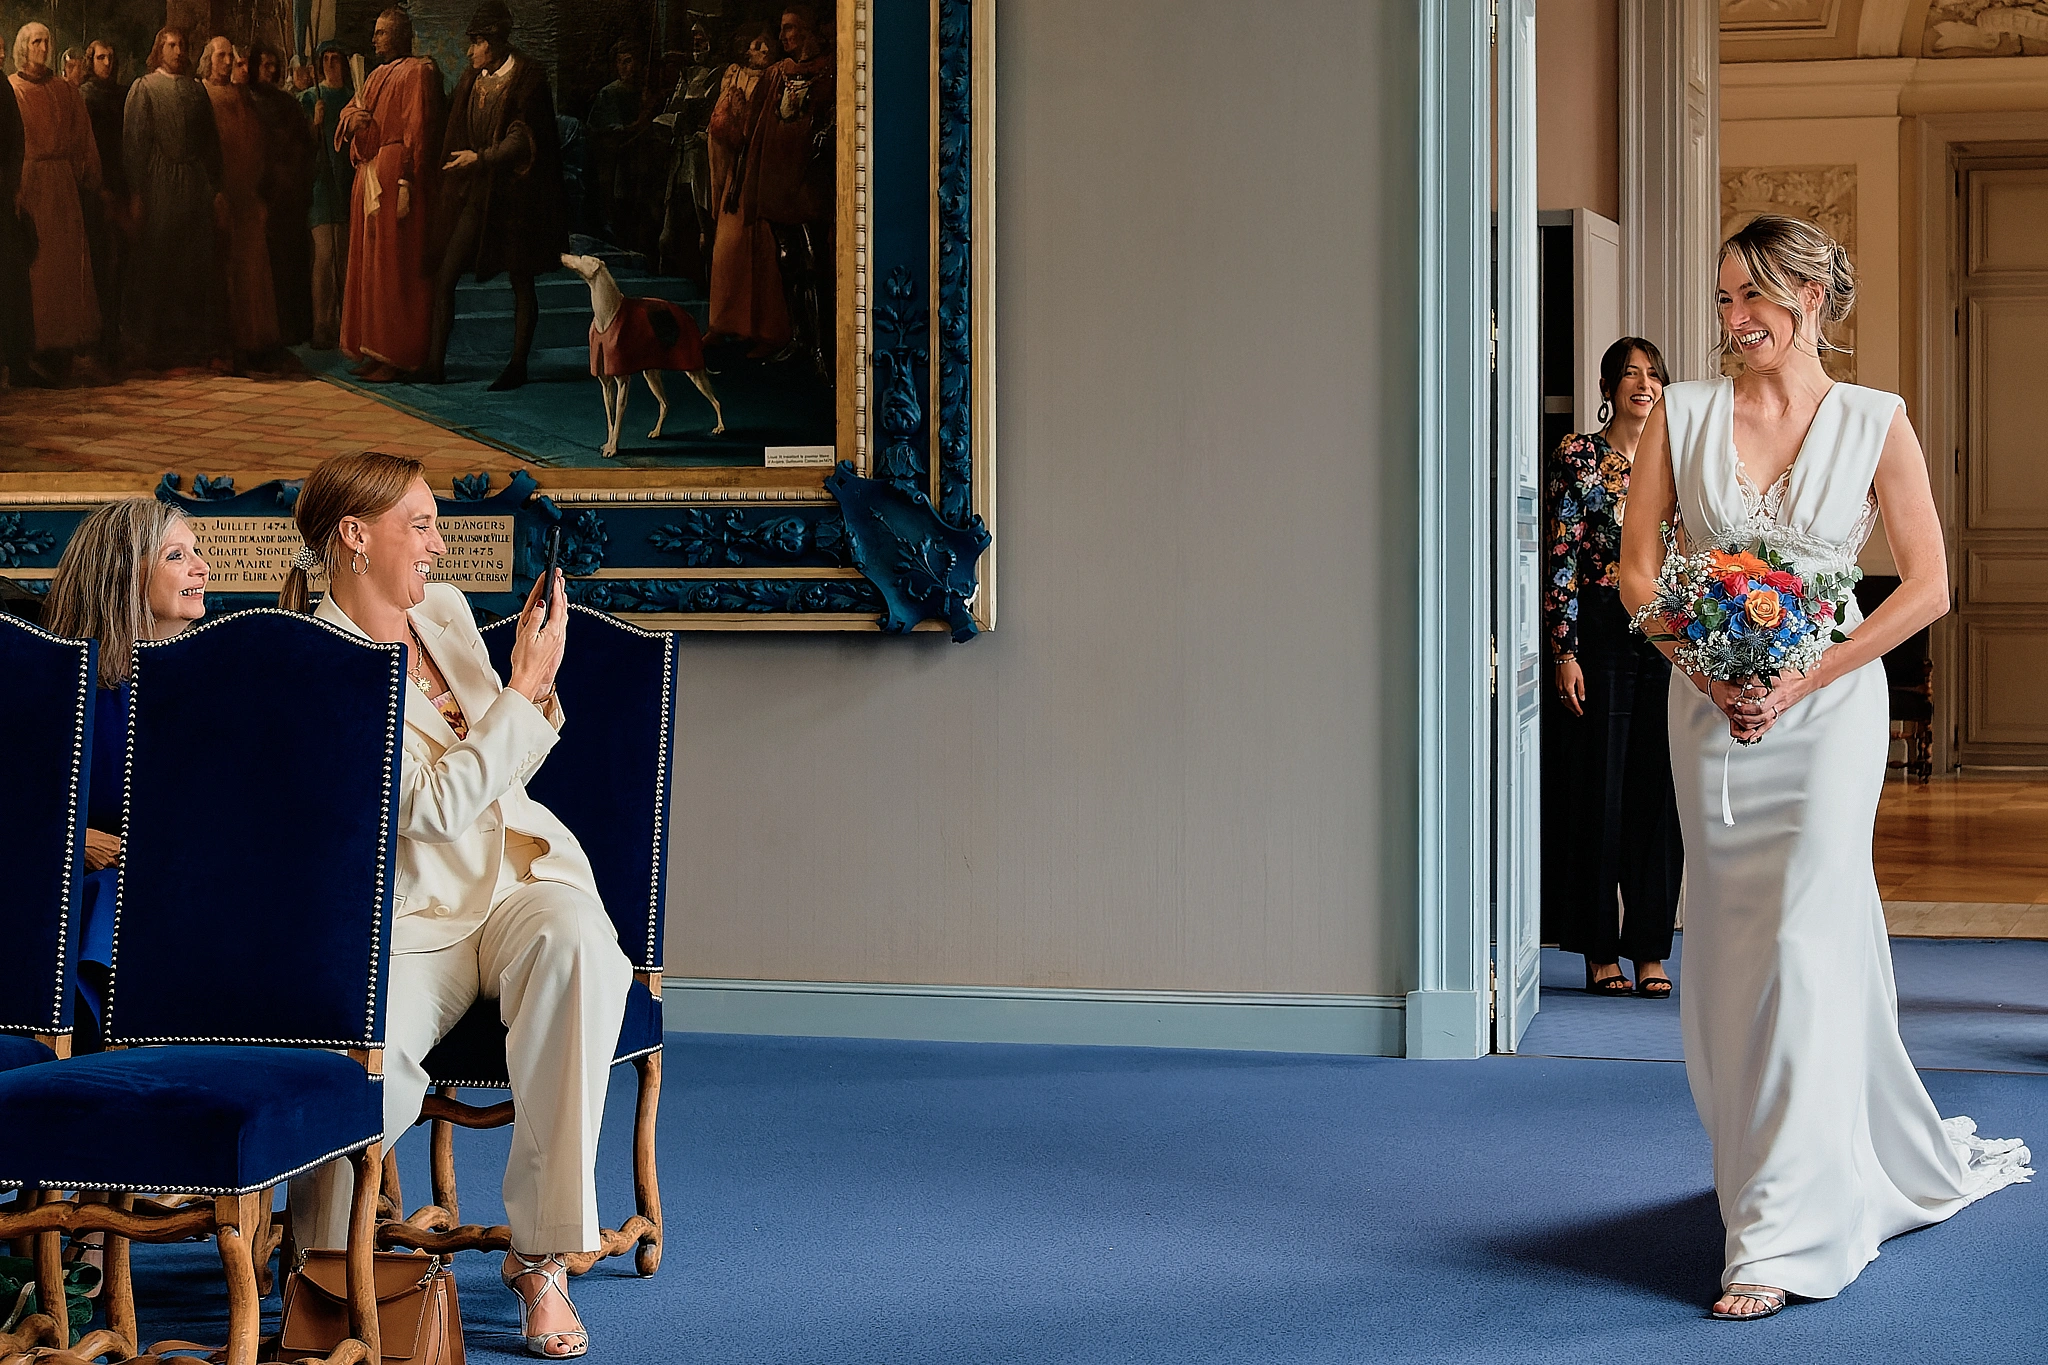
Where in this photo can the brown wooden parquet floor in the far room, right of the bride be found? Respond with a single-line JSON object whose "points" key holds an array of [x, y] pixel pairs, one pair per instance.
{"points": [[1965, 858]]}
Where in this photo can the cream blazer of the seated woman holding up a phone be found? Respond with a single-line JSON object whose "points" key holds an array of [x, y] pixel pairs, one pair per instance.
{"points": [[460, 797]]}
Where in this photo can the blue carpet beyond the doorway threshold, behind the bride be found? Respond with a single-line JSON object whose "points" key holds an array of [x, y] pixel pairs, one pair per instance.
{"points": [[1963, 1006]]}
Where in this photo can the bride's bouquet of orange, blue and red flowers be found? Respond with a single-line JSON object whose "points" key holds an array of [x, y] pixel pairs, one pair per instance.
{"points": [[1740, 615]]}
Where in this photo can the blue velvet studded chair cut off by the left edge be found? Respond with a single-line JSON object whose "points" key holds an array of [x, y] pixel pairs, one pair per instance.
{"points": [[46, 766]]}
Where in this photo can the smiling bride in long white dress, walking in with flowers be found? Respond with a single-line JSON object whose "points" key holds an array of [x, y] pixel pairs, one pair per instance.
{"points": [[1826, 1143]]}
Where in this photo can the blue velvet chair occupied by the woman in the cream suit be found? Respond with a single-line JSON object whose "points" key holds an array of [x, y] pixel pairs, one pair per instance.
{"points": [[607, 781]]}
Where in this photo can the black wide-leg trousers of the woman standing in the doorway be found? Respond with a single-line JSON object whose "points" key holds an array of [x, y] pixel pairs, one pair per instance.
{"points": [[1611, 811]]}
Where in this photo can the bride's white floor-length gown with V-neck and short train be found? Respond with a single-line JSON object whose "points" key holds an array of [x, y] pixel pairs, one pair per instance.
{"points": [[1826, 1143]]}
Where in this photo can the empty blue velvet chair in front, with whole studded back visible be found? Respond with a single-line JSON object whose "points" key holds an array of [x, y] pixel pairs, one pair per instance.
{"points": [[245, 1014]]}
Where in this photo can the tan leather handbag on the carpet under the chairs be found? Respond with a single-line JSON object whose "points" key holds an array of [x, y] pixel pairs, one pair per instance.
{"points": [[417, 1311]]}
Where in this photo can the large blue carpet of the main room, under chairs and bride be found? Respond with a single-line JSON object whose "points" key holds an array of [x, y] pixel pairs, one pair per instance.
{"points": [[845, 1202]]}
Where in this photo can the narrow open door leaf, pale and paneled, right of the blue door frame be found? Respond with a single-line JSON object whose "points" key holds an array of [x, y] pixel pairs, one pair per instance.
{"points": [[1517, 535]]}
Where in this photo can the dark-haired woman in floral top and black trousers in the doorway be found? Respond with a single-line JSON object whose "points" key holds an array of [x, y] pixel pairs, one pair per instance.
{"points": [[1611, 813]]}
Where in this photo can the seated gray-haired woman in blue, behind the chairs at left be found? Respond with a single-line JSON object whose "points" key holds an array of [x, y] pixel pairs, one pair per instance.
{"points": [[132, 572]]}
